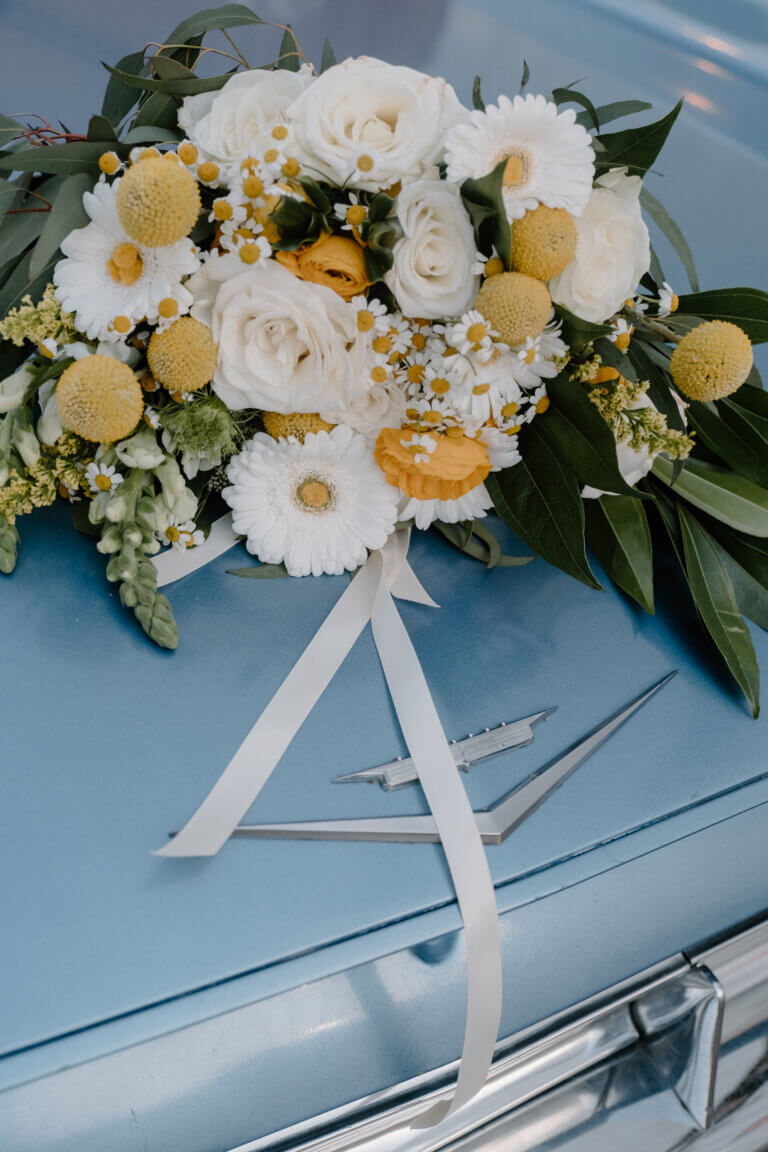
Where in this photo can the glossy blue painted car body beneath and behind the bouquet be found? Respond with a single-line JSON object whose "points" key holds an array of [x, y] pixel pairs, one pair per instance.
{"points": [[657, 843]]}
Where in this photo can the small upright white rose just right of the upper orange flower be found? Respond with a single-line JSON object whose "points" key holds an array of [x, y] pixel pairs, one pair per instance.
{"points": [[432, 271]]}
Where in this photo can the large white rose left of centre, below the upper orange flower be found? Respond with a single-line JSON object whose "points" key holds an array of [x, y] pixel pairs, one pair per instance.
{"points": [[285, 345]]}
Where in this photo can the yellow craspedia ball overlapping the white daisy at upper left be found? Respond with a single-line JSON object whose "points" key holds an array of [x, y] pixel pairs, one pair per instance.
{"points": [[158, 203]]}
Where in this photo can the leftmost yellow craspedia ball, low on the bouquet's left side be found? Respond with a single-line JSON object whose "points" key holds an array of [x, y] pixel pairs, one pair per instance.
{"points": [[100, 399]]}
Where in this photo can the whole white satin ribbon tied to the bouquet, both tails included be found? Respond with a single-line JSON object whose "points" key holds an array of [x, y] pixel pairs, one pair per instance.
{"points": [[369, 597]]}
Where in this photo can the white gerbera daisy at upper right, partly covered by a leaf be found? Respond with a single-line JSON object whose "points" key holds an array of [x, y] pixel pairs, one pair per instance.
{"points": [[550, 157]]}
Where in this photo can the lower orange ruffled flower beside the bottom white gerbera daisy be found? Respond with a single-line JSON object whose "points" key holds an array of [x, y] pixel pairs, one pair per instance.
{"points": [[457, 466]]}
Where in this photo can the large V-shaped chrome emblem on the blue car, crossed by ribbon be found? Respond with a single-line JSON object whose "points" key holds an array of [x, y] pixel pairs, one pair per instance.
{"points": [[496, 823]]}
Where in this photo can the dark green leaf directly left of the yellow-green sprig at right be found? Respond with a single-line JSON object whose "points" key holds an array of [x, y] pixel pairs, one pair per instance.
{"points": [[583, 437]]}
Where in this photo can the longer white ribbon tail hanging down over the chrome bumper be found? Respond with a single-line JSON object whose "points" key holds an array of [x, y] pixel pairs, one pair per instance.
{"points": [[462, 845]]}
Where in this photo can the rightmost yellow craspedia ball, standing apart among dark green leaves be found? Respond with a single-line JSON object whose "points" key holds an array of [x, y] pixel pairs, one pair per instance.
{"points": [[712, 361]]}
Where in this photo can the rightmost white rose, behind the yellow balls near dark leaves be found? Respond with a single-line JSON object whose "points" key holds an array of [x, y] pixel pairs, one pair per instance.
{"points": [[613, 251]]}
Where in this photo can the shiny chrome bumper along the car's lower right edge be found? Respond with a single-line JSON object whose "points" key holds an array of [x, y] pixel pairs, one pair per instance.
{"points": [[675, 1059]]}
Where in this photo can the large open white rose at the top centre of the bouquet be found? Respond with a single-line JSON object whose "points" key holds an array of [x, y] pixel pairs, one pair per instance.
{"points": [[364, 108]]}
